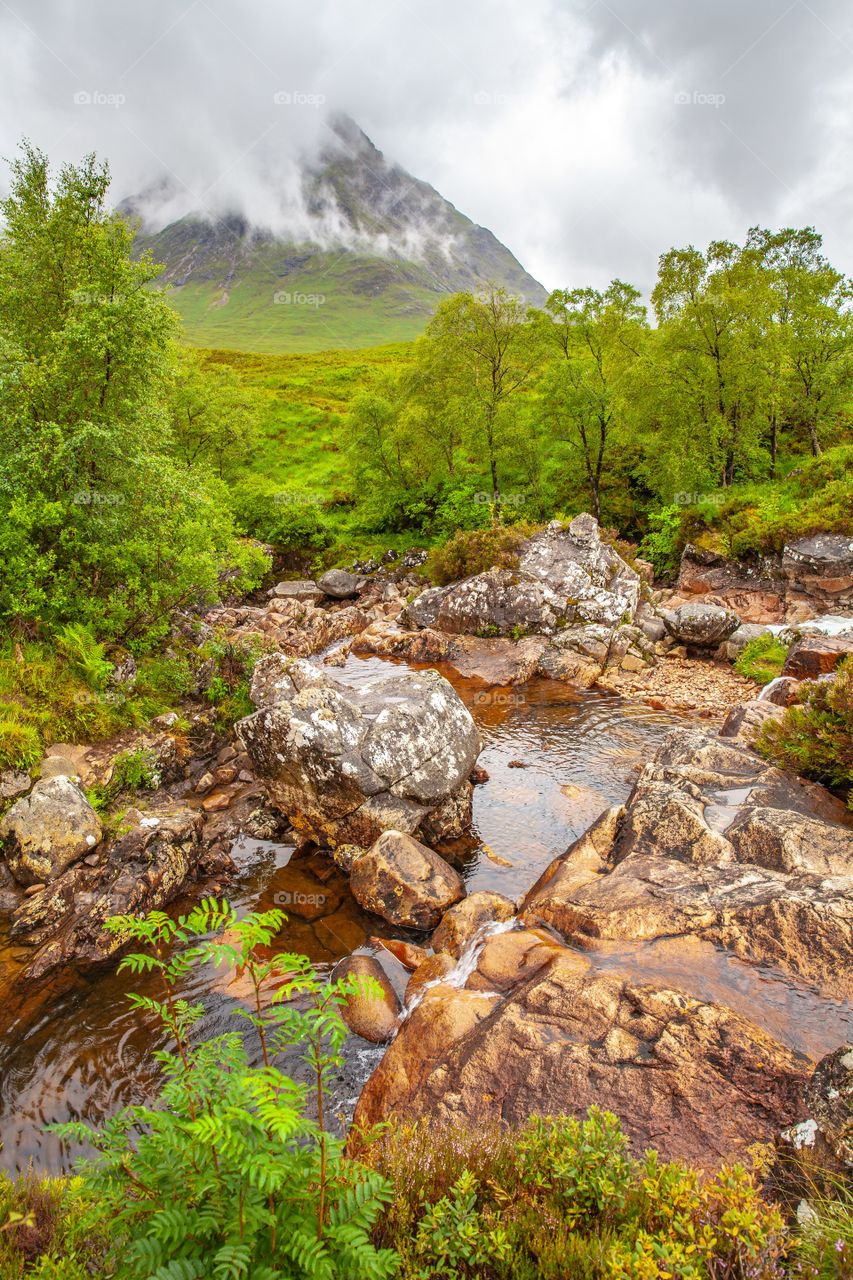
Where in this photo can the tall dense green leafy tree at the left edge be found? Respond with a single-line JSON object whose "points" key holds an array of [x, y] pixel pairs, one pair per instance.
{"points": [[98, 524]]}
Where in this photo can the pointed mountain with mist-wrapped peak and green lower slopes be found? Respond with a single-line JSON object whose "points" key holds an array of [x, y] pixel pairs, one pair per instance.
{"points": [[373, 253]]}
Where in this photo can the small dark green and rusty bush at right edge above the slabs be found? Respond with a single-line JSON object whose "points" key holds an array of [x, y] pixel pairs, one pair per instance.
{"points": [[815, 738]]}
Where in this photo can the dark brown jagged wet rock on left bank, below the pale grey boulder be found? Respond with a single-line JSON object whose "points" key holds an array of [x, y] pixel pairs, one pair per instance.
{"points": [[143, 872]]}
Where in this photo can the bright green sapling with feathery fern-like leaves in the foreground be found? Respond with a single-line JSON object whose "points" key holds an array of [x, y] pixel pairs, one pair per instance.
{"points": [[227, 1176]]}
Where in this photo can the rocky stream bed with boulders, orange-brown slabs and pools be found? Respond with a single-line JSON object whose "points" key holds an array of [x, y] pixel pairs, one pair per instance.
{"points": [[531, 803]]}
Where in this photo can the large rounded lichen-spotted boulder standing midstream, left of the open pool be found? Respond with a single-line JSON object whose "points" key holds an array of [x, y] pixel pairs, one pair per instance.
{"points": [[348, 765]]}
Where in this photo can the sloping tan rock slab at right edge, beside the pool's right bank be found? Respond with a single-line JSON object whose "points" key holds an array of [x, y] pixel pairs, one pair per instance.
{"points": [[715, 843]]}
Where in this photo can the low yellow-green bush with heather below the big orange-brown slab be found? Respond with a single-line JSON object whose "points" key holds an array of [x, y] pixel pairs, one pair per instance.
{"points": [[564, 1199]]}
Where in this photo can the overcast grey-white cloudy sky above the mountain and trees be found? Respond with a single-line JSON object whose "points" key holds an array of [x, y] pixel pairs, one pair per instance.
{"points": [[589, 136]]}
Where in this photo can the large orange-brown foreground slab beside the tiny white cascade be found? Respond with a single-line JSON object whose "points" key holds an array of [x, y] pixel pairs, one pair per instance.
{"points": [[694, 1080]]}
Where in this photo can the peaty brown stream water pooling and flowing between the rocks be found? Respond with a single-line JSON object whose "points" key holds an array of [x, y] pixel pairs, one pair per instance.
{"points": [[76, 1050]]}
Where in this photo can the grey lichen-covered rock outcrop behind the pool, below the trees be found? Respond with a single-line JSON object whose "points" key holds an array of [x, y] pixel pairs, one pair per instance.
{"points": [[565, 575]]}
